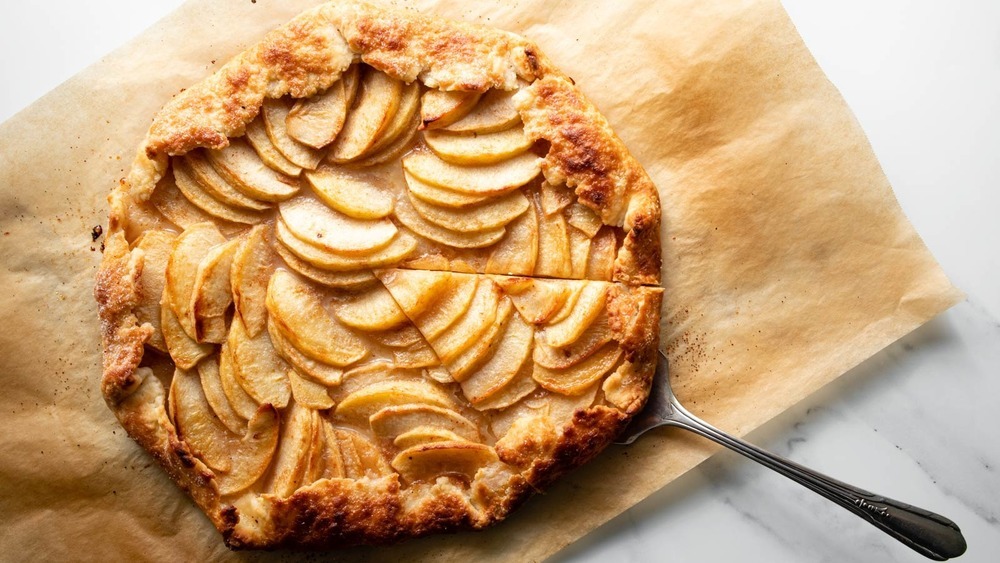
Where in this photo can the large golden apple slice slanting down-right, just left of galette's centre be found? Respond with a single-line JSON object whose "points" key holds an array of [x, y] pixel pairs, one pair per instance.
{"points": [[300, 316]]}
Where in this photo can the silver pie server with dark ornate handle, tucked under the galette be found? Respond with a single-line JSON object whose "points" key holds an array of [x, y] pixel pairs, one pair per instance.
{"points": [[927, 533]]}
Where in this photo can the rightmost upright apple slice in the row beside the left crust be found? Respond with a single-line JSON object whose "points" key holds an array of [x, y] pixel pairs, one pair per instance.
{"points": [[250, 271]]}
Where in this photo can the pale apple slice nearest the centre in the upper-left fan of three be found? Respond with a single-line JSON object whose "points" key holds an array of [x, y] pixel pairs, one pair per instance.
{"points": [[240, 166]]}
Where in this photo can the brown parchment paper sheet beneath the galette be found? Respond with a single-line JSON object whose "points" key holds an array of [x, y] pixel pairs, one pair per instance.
{"points": [[786, 259]]}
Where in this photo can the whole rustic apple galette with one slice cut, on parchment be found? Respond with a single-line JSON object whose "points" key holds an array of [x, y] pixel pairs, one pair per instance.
{"points": [[379, 276]]}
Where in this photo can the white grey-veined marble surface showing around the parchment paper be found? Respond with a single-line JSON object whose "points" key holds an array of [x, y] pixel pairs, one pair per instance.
{"points": [[918, 422]]}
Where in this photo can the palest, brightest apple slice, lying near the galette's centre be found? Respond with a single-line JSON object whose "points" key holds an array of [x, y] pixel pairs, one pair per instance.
{"points": [[314, 223]]}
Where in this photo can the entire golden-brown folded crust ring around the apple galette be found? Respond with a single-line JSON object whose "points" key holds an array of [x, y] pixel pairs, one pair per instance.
{"points": [[301, 58]]}
